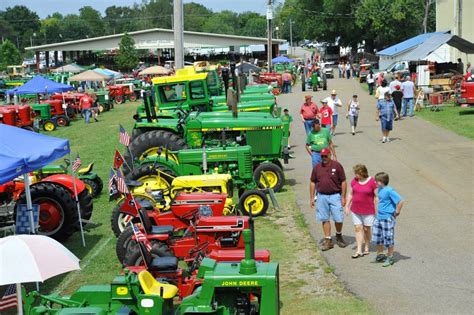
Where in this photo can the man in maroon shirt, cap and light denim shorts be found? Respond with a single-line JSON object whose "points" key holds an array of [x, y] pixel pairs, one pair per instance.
{"points": [[329, 180]]}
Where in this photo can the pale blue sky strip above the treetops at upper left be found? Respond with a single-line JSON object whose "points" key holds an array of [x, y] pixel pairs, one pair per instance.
{"points": [[45, 7]]}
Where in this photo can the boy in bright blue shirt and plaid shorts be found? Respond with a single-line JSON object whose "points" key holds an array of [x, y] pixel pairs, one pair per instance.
{"points": [[383, 230]]}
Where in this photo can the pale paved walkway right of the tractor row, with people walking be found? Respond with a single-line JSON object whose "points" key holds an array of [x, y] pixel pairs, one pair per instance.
{"points": [[433, 170]]}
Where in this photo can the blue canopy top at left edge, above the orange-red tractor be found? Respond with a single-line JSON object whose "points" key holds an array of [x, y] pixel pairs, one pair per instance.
{"points": [[23, 151]]}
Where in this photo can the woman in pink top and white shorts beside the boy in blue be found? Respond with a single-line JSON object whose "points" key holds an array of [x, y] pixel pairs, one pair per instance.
{"points": [[361, 203]]}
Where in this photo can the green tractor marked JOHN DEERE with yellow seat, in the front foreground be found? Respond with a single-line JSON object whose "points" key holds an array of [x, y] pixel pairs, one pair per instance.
{"points": [[222, 288]]}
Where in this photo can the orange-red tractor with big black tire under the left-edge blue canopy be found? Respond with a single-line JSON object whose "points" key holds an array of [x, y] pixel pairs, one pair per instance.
{"points": [[55, 197]]}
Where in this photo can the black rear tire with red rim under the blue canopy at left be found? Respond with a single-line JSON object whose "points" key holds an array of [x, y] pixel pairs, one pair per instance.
{"points": [[54, 200]]}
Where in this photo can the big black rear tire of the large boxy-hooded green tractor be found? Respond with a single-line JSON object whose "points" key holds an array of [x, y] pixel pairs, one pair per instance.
{"points": [[153, 139]]}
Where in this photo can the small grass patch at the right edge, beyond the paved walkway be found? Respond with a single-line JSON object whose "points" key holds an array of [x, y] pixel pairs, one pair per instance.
{"points": [[454, 118]]}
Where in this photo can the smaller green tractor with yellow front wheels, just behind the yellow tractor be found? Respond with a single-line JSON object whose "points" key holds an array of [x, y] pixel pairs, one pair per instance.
{"points": [[233, 160]]}
